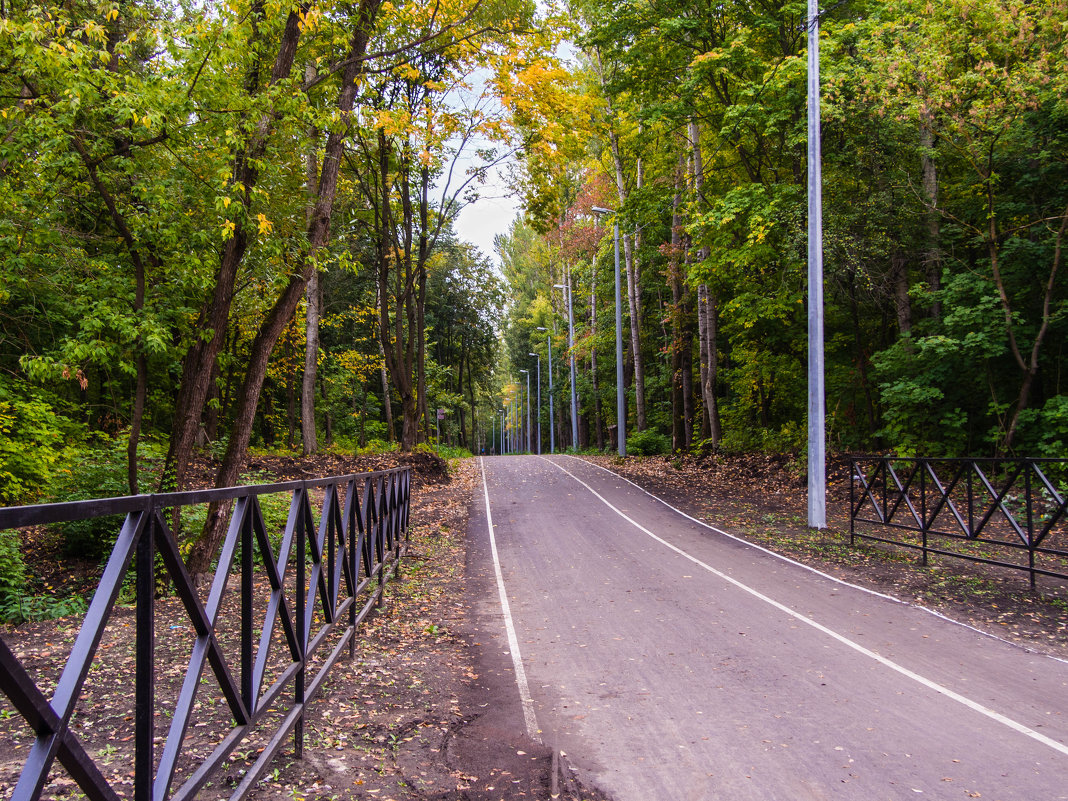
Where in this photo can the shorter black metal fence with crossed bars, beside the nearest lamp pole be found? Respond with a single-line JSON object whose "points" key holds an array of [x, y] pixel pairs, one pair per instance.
{"points": [[1010, 513]]}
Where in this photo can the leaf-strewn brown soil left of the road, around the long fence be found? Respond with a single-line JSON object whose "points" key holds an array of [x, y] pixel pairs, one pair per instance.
{"points": [[401, 720]]}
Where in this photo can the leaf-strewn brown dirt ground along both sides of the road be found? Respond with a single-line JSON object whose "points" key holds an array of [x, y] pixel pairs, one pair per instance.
{"points": [[401, 720]]}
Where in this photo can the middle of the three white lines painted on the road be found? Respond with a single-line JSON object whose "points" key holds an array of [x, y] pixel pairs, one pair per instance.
{"points": [[998, 717]]}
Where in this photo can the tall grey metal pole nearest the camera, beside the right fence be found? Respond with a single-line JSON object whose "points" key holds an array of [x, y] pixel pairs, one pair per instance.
{"points": [[818, 476]]}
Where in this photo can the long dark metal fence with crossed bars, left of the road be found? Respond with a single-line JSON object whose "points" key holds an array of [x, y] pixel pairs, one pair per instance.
{"points": [[321, 578]]}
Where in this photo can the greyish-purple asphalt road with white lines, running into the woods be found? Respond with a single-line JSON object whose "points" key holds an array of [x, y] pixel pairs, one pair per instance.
{"points": [[668, 661]]}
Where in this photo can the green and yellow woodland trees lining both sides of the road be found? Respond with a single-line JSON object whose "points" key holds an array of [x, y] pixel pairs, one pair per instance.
{"points": [[232, 227]]}
